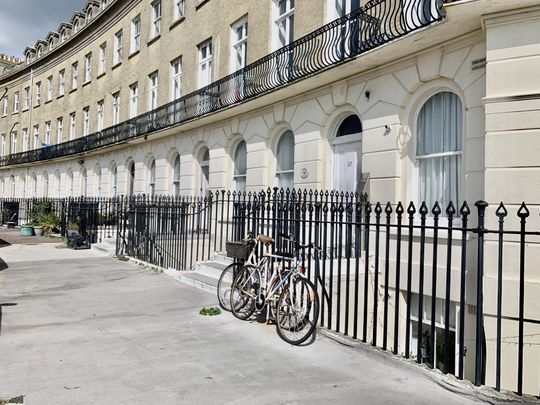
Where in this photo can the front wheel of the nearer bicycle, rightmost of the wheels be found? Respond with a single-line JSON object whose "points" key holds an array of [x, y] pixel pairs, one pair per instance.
{"points": [[297, 311]]}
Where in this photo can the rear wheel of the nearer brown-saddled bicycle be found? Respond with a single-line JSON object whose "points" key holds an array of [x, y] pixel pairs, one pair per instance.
{"points": [[244, 291]]}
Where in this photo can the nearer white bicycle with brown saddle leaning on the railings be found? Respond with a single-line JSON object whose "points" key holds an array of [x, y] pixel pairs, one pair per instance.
{"points": [[285, 291]]}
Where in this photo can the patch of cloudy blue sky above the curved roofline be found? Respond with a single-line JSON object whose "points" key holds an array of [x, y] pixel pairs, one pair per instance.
{"points": [[23, 22]]}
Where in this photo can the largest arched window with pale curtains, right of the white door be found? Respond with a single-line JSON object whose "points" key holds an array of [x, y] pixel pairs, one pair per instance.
{"points": [[438, 149]]}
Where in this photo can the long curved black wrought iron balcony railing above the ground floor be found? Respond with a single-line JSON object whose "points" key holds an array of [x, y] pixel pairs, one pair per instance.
{"points": [[375, 24]]}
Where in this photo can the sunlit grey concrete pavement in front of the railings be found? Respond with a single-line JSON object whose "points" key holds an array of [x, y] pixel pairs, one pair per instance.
{"points": [[79, 327]]}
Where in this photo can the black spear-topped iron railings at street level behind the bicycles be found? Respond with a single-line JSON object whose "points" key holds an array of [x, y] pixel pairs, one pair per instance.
{"points": [[453, 287]]}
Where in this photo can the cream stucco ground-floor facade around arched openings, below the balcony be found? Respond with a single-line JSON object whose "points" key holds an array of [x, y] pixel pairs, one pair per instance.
{"points": [[385, 88]]}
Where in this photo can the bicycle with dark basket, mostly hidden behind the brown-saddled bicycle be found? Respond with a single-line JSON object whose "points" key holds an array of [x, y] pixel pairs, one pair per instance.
{"points": [[239, 251]]}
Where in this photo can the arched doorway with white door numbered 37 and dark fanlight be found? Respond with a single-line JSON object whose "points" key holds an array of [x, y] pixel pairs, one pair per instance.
{"points": [[347, 145]]}
